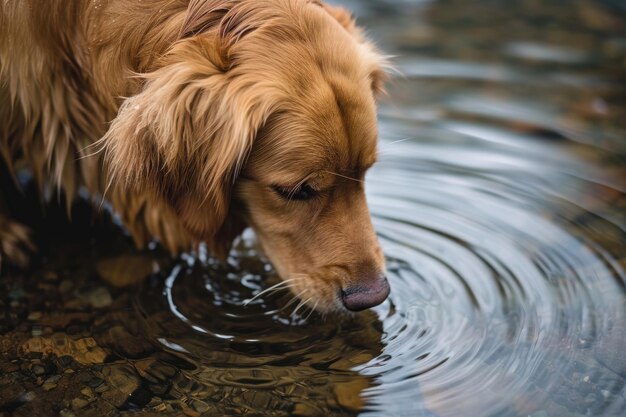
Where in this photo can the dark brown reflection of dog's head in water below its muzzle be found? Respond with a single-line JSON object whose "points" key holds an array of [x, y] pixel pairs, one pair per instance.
{"points": [[269, 354]]}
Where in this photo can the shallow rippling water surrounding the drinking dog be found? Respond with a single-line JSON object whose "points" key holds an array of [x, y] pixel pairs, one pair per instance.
{"points": [[499, 200]]}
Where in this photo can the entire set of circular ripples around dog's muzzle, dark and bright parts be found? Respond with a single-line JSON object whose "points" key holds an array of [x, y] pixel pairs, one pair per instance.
{"points": [[503, 302]]}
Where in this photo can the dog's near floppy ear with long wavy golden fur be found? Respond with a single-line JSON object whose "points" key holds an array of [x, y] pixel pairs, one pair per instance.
{"points": [[185, 136]]}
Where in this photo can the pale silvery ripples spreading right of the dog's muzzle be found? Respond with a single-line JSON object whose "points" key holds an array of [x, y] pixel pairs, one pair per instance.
{"points": [[504, 303]]}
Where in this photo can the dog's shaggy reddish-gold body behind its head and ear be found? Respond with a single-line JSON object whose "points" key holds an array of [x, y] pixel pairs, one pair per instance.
{"points": [[61, 81]]}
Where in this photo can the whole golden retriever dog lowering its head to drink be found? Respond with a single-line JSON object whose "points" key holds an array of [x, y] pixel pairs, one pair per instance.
{"points": [[198, 118]]}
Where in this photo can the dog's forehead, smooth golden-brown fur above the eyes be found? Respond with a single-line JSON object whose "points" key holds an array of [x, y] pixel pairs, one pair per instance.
{"points": [[334, 130]]}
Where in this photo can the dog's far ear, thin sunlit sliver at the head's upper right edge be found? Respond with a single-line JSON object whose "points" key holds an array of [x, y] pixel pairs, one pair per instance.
{"points": [[378, 74]]}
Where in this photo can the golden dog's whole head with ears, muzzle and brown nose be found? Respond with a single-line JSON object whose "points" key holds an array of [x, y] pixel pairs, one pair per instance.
{"points": [[263, 114]]}
